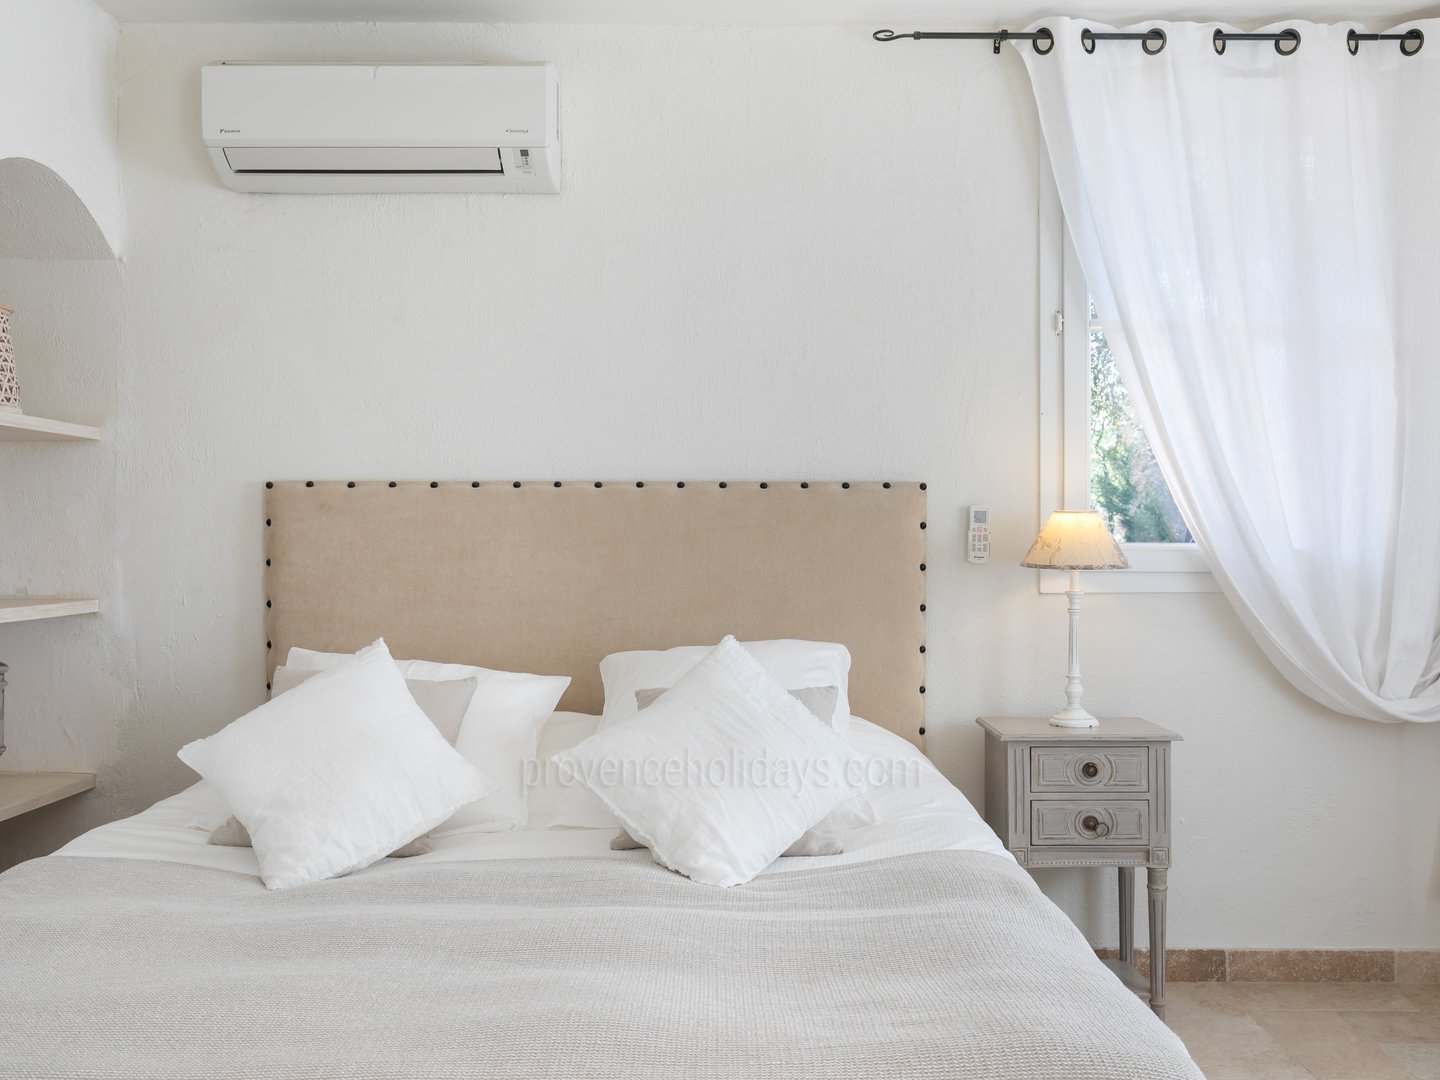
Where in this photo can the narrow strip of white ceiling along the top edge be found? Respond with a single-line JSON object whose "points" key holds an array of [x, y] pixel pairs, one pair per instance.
{"points": [[899, 15]]}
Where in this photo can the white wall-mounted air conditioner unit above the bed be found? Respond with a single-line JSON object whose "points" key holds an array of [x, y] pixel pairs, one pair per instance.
{"points": [[382, 127]]}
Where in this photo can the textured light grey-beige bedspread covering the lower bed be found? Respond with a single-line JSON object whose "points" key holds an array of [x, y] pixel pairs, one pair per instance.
{"points": [[947, 964]]}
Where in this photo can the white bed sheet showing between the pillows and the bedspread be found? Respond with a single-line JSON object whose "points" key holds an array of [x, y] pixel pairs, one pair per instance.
{"points": [[917, 810]]}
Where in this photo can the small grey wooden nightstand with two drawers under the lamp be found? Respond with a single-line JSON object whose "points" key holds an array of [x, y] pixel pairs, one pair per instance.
{"points": [[1088, 797]]}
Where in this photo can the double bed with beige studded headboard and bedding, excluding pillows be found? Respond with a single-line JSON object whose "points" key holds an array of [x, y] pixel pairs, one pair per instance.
{"points": [[140, 951]]}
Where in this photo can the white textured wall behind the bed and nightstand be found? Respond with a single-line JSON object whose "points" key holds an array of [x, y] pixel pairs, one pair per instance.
{"points": [[778, 254]]}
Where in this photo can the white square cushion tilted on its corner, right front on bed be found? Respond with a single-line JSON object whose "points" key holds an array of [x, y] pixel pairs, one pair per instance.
{"points": [[724, 773]]}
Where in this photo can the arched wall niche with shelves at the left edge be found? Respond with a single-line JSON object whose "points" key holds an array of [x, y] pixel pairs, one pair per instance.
{"points": [[68, 682]]}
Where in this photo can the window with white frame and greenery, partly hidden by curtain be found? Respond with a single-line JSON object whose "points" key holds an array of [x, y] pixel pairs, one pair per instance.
{"points": [[1094, 451]]}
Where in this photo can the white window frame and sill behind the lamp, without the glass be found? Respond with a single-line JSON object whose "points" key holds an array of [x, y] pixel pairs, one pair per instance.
{"points": [[1065, 418]]}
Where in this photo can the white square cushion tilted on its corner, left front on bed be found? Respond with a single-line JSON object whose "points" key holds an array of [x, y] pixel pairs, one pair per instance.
{"points": [[336, 774]]}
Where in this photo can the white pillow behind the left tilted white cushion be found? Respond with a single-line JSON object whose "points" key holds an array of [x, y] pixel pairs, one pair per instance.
{"points": [[499, 734]]}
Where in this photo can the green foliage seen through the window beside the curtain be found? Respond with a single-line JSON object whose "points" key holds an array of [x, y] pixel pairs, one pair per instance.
{"points": [[1125, 482]]}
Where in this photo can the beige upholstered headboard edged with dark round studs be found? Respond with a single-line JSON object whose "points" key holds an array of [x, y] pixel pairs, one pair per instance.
{"points": [[551, 578]]}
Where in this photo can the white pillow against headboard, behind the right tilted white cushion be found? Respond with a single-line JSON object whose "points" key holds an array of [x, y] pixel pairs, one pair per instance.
{"points": [[794, 665]]}
